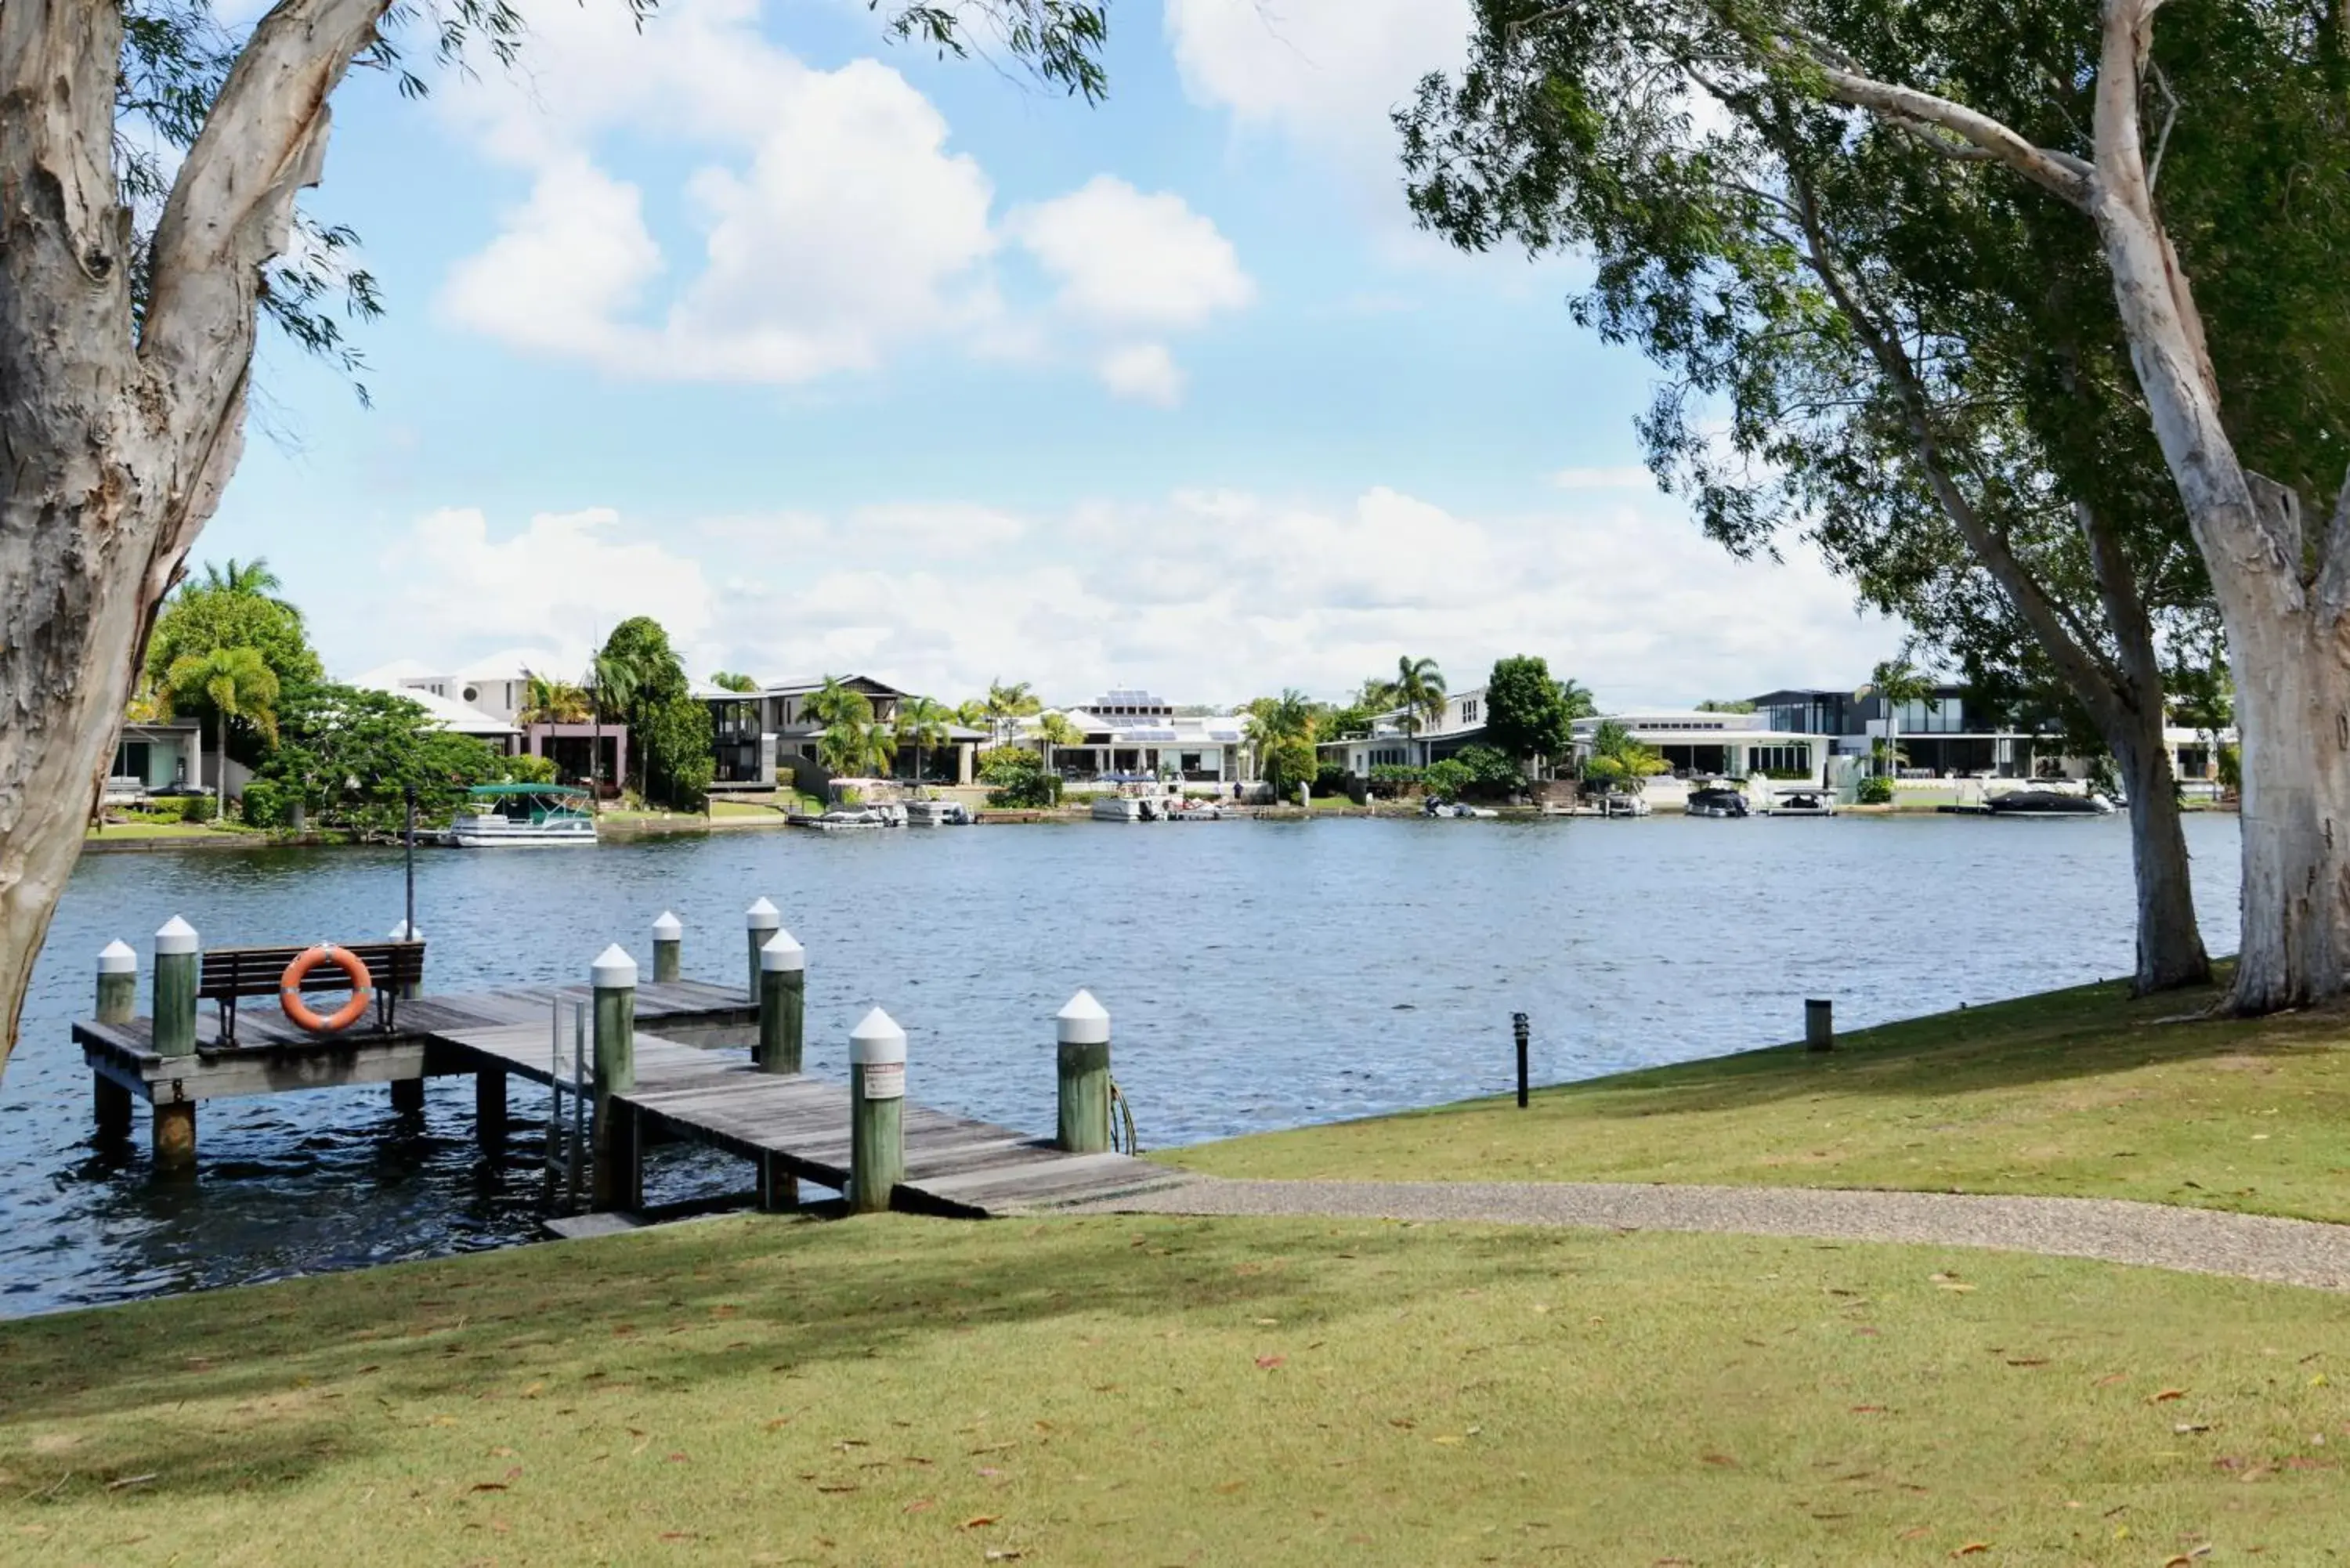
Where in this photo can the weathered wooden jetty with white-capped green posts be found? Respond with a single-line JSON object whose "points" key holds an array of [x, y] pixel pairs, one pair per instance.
{"points": [[673, 1064]]}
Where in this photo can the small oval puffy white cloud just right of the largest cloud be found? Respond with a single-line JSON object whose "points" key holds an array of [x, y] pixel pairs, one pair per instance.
{"points": [[1132, 260]]}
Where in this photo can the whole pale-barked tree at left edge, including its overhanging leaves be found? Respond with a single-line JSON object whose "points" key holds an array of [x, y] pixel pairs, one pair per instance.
{"points": [[152, 161]]}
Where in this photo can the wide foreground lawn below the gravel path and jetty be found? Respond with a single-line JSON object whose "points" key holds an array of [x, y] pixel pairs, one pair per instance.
{"points": [[1183, 1393]]}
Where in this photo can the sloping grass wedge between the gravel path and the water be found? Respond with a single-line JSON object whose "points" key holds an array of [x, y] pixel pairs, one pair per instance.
{"points": [[2083, 1092]]}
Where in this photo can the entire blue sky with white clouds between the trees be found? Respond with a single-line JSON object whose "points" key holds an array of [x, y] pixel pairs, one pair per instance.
{"points": [[842, 359]]}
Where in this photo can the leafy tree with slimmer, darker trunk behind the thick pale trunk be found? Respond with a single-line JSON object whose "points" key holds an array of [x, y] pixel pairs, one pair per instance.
{"points": [[1921, 359]]}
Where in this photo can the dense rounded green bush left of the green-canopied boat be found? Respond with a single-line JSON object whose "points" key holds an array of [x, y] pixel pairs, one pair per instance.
{"points": [[351, 753]]}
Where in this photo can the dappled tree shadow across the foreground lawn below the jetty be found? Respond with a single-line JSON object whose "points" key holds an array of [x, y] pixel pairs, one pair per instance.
{"points": [[250, 1388]]}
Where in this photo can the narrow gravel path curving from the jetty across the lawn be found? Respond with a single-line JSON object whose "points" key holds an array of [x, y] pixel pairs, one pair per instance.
{"points": [[2154, 1235]]}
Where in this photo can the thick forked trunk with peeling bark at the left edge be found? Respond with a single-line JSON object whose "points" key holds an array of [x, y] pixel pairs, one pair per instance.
{"points": [[119, 445]]}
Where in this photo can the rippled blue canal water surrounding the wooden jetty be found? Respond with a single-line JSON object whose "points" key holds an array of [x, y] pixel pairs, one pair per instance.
{"points": [[1261, 974]]}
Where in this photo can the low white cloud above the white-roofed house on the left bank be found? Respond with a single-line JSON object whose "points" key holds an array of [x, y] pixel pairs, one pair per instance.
{"points": [[560, 582]]}
